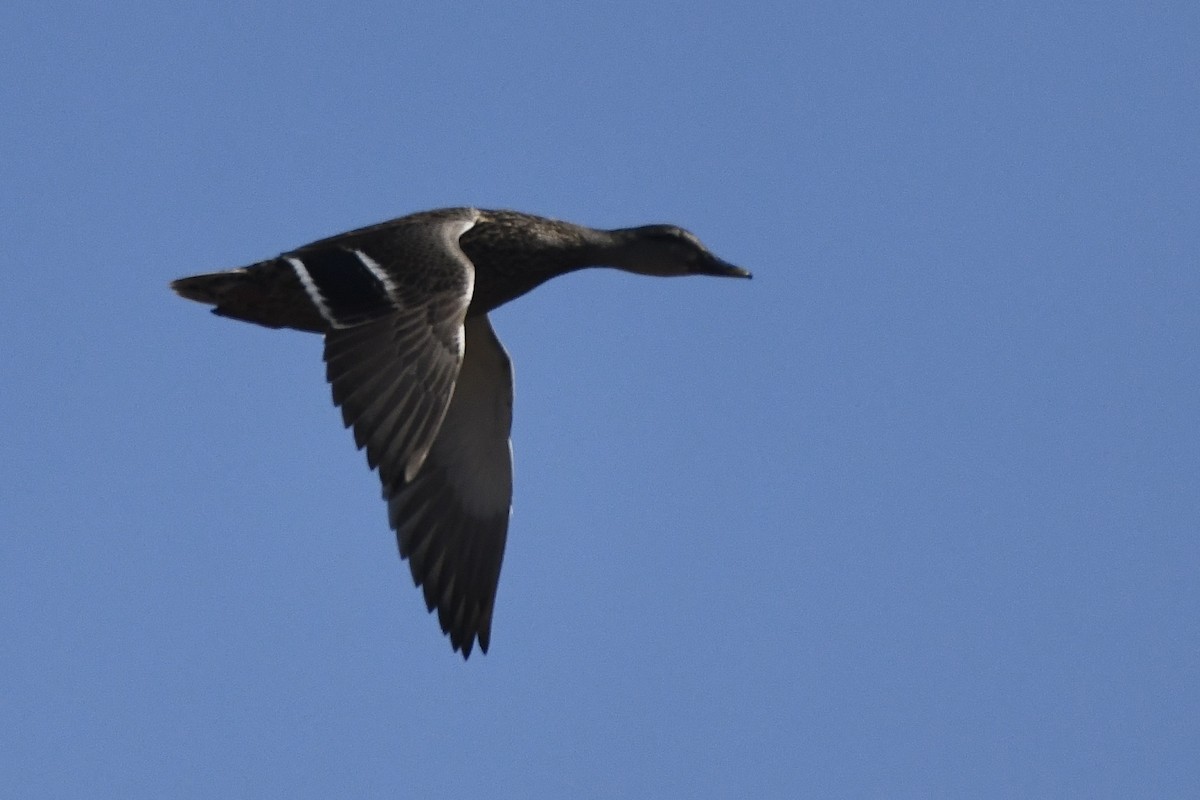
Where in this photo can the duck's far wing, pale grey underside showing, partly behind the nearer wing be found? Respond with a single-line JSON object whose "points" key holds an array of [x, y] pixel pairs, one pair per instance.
{"points": [[452, 520]]}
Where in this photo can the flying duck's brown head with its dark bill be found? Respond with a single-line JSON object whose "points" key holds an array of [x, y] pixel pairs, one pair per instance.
{"points": [[667, 251]]}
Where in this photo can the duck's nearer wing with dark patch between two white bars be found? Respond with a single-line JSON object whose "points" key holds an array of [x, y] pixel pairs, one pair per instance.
{"points": [[397, 303]]}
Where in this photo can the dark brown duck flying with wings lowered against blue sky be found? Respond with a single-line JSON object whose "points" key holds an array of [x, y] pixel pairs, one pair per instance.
{"points": [[418, 371]]}
